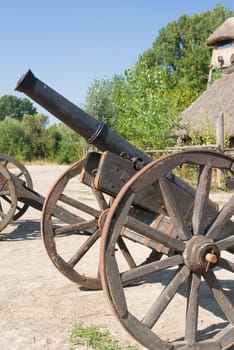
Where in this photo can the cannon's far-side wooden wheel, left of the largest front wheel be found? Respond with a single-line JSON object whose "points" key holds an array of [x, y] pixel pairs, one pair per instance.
{"points": [[69, 226]]}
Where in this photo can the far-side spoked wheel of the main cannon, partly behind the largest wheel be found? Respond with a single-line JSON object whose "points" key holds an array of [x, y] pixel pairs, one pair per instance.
{"points": [[71, 224]]}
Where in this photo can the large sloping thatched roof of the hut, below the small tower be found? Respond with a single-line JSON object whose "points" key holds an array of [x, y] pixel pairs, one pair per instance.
{"points": [[218, 98]]}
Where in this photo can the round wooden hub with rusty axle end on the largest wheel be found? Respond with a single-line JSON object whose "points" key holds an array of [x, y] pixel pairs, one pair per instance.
{"points": [[201, 254]]}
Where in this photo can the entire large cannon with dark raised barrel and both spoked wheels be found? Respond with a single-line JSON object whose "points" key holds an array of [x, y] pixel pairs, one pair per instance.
{"points": [[186, 239]]}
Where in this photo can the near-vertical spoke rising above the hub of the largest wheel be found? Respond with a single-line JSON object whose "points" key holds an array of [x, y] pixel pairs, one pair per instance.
{"points": [[201, 200]]}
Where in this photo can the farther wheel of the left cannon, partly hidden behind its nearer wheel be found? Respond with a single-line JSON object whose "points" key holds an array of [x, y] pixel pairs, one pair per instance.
{"points": [[18, 170]]}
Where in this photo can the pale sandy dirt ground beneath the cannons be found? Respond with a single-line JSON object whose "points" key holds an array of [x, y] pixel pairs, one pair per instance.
{"points": [[39, 306]]}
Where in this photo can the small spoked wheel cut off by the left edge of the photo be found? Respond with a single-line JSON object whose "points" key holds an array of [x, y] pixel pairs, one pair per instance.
{"points": [[8, 197]]}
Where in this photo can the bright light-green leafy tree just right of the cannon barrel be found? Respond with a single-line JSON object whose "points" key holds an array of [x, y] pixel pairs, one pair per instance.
{"points": [[144, 105]]}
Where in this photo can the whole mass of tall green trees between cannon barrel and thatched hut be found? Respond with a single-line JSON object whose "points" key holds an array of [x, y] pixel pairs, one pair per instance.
{"points": [[166, 80]]}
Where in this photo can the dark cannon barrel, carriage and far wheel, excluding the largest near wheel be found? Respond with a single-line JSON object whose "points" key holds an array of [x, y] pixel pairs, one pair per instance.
{"points": [[104, 173]]}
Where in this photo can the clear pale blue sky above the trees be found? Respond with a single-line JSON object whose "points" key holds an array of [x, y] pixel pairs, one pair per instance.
{"points": [[69, 43]]}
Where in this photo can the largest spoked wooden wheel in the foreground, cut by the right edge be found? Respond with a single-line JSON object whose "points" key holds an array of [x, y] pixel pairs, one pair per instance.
{"points": [[195, 278]]}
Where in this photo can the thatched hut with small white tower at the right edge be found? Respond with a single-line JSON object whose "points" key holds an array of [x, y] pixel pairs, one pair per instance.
{"points": [[200, 117]]}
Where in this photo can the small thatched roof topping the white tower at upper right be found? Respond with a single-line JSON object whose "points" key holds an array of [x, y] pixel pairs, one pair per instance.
{"points": [[223, 34]]}
